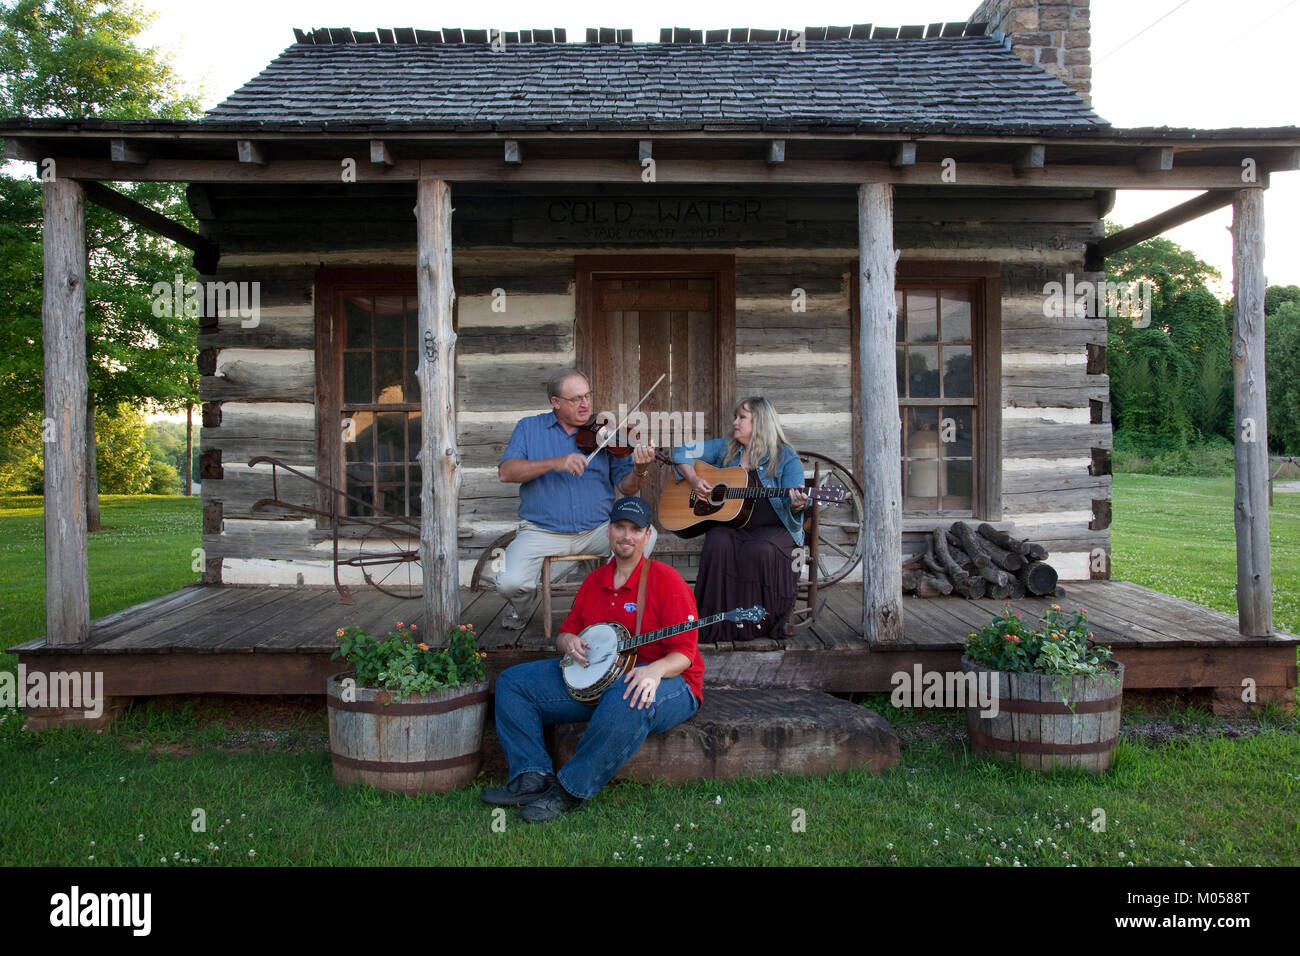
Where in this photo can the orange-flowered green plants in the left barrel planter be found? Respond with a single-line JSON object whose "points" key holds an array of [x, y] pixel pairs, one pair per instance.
{"points": [[406, 667]]}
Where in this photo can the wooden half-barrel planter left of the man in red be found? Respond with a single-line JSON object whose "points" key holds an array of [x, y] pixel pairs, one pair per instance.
{"points": [[422, 745]]}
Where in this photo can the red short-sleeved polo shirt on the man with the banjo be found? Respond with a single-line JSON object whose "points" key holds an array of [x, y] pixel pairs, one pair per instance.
{"points": [[669, 602]]}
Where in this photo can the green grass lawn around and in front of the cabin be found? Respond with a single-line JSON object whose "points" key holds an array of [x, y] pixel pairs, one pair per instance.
{"points": [[1186, 788]]}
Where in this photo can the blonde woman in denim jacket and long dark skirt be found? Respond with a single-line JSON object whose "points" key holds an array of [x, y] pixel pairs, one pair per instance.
{"points": [[740, 568]]}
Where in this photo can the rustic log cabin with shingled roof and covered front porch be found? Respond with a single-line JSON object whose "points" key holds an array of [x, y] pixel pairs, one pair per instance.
{"points": [[868, 226]]}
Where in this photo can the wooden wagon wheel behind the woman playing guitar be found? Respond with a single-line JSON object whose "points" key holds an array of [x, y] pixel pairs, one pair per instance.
{"points": [[838, 546]]}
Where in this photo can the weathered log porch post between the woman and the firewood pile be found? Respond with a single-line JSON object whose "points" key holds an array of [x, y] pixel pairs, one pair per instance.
{"points": [[882, 569]]}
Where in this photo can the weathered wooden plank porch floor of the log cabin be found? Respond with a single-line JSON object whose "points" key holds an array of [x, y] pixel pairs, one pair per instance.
{"points": [[279, 641]]}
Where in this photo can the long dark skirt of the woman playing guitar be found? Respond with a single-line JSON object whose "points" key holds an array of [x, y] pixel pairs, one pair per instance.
{"points": [[742, 568]]}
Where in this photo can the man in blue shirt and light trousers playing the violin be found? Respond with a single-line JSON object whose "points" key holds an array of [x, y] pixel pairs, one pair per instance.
{"points": [[564, 501]]}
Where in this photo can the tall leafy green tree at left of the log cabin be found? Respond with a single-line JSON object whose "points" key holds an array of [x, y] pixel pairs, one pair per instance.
{"points": [[77, 59]]}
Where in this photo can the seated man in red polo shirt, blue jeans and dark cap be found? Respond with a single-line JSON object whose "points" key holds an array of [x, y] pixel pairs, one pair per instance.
{"points": [[660, 693]]}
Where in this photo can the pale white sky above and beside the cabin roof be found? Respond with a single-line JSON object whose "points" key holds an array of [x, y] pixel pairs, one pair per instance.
{"points": [[1210, 64]]}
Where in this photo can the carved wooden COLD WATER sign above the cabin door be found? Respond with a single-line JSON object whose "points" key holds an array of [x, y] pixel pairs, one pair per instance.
{"points": [[636, 220]]}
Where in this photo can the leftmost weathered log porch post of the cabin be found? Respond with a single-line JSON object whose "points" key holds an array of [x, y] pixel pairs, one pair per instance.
{"points": [[63, 322]]}
